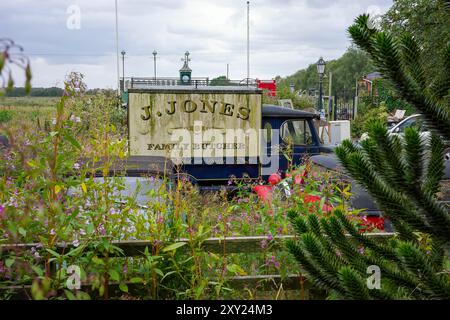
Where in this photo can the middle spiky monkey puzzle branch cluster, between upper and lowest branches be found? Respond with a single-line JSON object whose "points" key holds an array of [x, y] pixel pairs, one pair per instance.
{"points": [[391, 171]]}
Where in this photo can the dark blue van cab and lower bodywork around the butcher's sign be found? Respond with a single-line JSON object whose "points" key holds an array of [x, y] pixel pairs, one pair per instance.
{"points": [[289, 122]]}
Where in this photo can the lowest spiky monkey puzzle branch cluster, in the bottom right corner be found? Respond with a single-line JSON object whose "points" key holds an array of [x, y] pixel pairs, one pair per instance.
{"points": [[335, 256]]}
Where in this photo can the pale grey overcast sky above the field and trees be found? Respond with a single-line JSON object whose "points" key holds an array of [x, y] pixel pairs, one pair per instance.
{"points": [[285, 36]]}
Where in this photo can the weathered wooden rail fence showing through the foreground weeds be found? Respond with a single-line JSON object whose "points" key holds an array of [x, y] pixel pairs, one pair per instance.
{"points": [[220, 246]]}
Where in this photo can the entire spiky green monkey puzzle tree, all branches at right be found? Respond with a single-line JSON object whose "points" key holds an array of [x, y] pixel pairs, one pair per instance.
{"points": [[403, 175]]}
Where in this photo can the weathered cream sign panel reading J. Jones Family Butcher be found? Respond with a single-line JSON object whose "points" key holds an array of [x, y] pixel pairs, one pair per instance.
{"points": [[194, 123]]}
